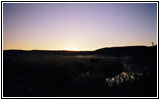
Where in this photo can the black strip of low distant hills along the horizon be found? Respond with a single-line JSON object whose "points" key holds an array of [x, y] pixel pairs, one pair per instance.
{"points": [[112, 51]]}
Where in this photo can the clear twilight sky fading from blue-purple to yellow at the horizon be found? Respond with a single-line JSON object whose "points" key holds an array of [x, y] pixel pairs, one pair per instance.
{"points": [[78, 26]]}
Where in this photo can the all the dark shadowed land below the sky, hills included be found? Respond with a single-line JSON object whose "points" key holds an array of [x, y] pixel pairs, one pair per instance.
{"points": [[107, 72]]}
